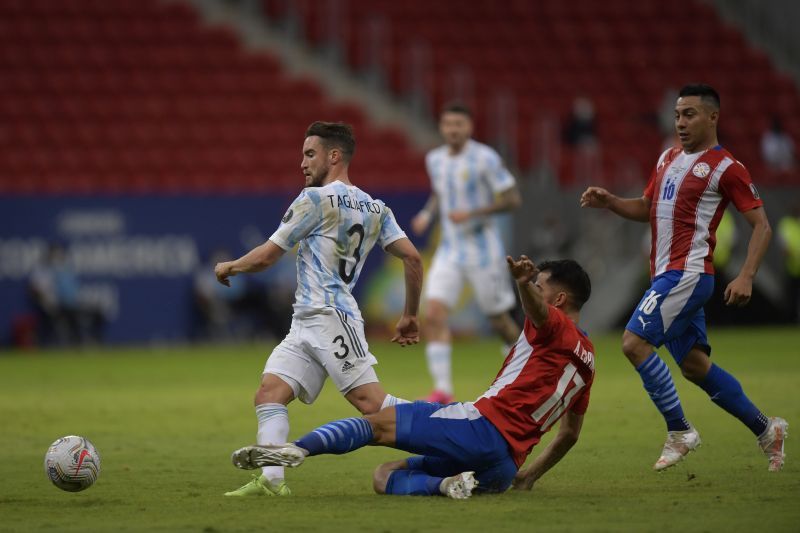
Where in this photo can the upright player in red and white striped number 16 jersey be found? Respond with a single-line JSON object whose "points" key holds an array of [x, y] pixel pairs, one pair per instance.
{"points": [[684, 201]]}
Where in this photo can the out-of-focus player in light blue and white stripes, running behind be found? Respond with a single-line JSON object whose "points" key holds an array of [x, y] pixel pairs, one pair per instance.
{"points": [[469, 185]]}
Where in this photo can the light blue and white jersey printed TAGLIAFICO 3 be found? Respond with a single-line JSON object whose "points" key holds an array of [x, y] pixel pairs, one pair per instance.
{"points": [[336, 225]]}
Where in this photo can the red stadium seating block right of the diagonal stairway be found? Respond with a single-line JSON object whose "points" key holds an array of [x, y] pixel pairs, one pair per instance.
{"points": [[622, 54]]}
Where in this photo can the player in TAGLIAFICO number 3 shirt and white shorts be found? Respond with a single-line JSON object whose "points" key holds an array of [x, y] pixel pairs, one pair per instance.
{"points": [[336, 225]]}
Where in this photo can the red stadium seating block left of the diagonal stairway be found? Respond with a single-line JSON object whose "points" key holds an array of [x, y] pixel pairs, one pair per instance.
{"points": [[138, 97]]}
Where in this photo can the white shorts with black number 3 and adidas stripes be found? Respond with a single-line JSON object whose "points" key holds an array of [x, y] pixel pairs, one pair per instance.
{"points": [[325, 343]]}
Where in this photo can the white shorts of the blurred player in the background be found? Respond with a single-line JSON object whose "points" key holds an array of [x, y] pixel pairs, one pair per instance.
{"points": [[491, 284]]}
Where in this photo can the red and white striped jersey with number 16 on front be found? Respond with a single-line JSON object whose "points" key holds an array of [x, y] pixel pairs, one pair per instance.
{"points": [[688, 195]]}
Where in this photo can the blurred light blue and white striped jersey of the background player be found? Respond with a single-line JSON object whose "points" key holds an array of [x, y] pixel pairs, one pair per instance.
{"points": [[466, 181]]}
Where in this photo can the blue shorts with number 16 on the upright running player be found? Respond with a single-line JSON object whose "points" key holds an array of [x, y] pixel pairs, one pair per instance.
{"points": [[671, 312]]}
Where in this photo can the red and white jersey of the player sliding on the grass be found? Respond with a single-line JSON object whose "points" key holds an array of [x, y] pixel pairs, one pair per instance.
{"points": [[548, 371]]}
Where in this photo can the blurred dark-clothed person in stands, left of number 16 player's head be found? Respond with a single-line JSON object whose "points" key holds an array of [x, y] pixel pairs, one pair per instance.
{"points": [[580, 133]]}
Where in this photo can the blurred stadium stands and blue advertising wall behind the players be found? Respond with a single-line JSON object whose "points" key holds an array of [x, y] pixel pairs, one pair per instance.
{"points": [[141, 140]]}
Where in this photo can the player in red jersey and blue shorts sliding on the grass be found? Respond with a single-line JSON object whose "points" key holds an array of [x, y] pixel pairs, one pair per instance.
{"points": [[479, 446]]}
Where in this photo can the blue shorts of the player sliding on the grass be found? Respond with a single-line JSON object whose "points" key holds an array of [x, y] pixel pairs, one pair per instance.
{"points": [[452, 439]]}
